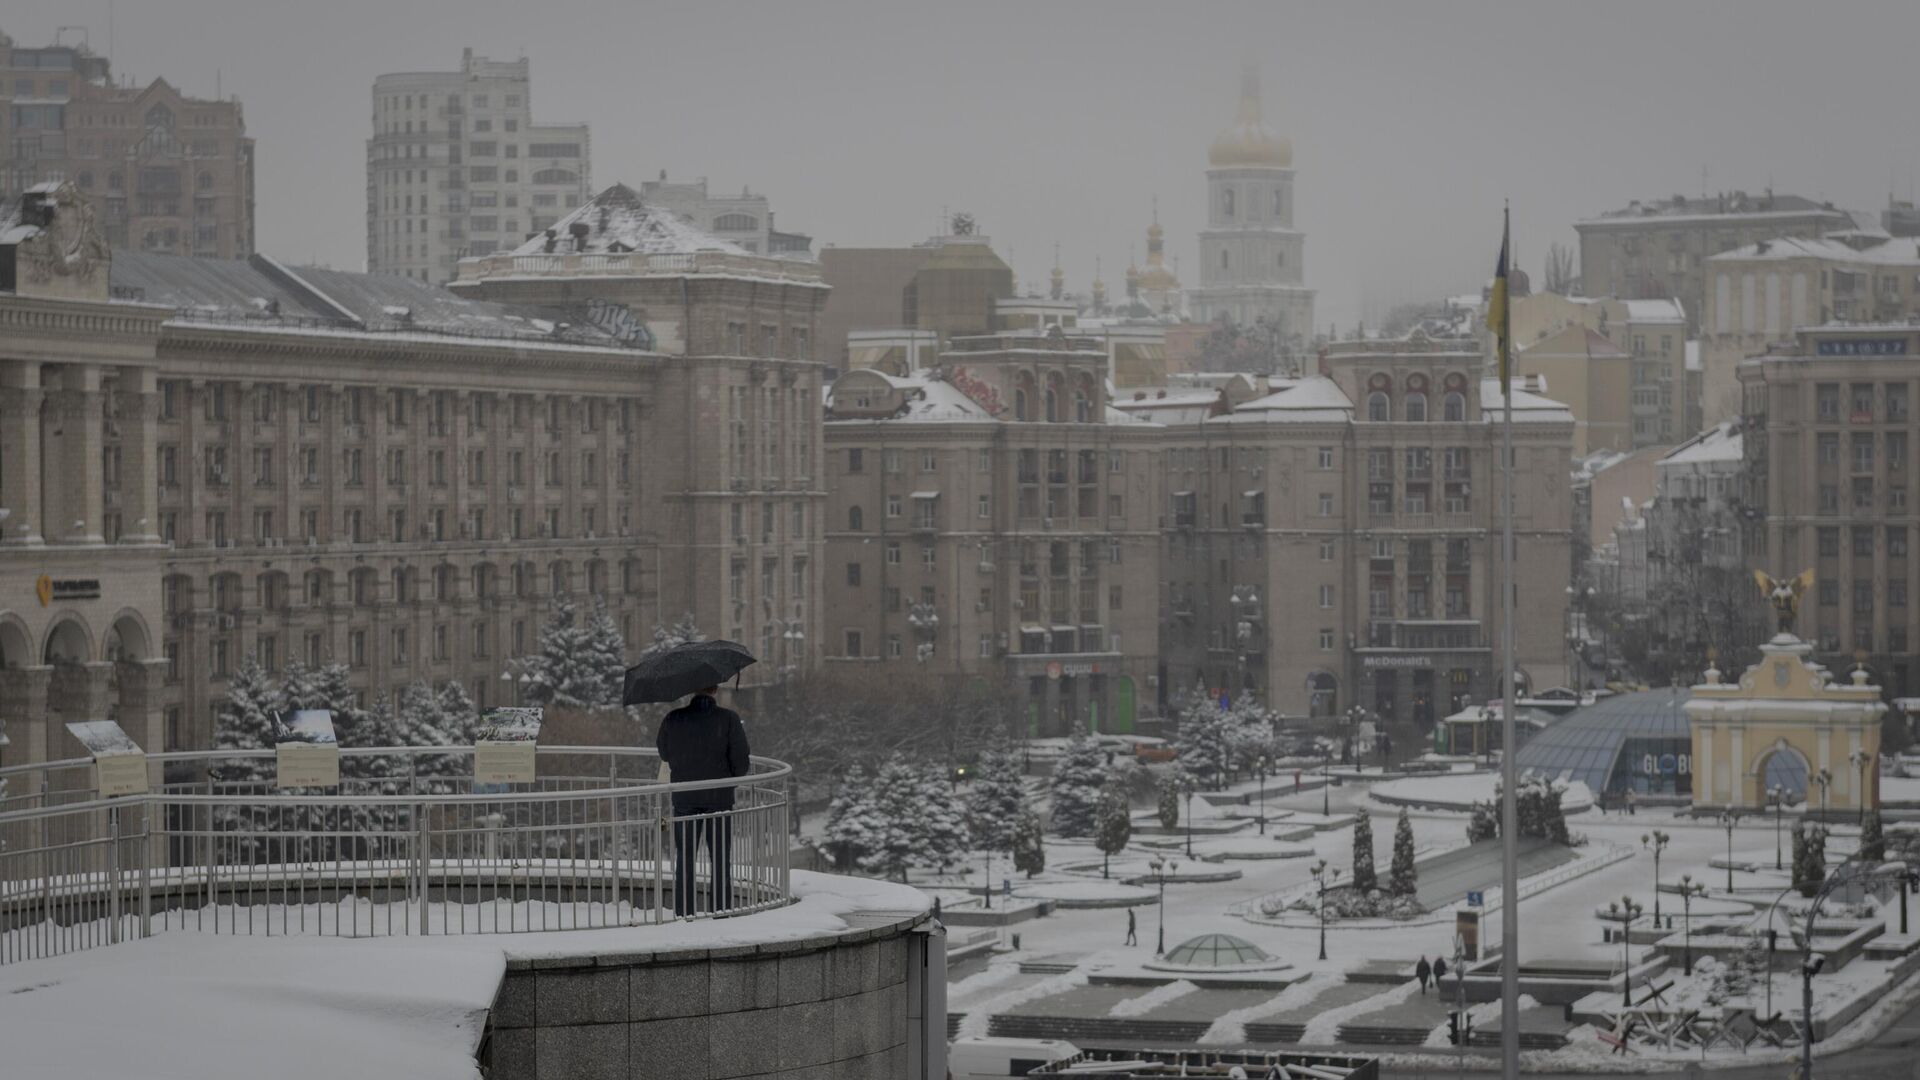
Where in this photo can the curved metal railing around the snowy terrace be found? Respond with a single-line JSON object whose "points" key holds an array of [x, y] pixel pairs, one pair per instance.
{"points": [[406, 845]]}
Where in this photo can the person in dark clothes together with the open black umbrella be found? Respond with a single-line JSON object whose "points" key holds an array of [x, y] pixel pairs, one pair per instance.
{"points": [[700, 741]]}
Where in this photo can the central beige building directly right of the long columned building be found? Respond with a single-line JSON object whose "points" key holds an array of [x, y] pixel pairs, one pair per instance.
{"points": [[994, 524]]}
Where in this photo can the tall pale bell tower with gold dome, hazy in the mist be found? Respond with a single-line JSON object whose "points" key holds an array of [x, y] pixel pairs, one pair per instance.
{"points": [[1253, 260]]}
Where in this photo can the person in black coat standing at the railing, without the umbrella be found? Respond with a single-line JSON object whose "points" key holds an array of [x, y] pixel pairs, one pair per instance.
{"points": [[704, 741]]}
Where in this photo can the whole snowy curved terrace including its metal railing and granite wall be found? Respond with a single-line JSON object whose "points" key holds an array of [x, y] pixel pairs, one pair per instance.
{"points": [[421, 918]]}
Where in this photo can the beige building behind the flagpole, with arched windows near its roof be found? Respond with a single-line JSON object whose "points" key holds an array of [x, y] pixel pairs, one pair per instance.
{"points": [[1333, 541]]}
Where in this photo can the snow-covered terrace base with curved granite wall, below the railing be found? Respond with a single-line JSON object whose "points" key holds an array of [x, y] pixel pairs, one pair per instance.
{"points": [[830, 983]]}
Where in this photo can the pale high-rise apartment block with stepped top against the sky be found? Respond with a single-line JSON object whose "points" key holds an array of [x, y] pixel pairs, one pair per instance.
{"points": [[460, 168]]}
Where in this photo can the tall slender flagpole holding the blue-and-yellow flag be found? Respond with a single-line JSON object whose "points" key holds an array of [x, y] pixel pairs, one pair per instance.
{"points": [[1510, 825]]}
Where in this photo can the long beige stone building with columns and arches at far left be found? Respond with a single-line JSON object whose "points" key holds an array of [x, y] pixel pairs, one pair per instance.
{"points": [[239, 458]]}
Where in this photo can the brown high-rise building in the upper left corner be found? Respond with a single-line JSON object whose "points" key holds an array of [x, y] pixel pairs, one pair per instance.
{"points": [[164, 172]]}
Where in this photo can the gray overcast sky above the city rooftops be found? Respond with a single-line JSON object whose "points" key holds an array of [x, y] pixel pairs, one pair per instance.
{"points": [[1061, 122]]}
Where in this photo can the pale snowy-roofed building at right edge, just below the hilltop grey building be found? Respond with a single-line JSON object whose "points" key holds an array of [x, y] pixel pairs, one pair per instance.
{"points": [[1762, 295]]}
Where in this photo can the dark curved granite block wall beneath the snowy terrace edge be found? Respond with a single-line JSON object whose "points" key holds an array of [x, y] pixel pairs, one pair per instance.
{"points": [[809, 1010]]}
